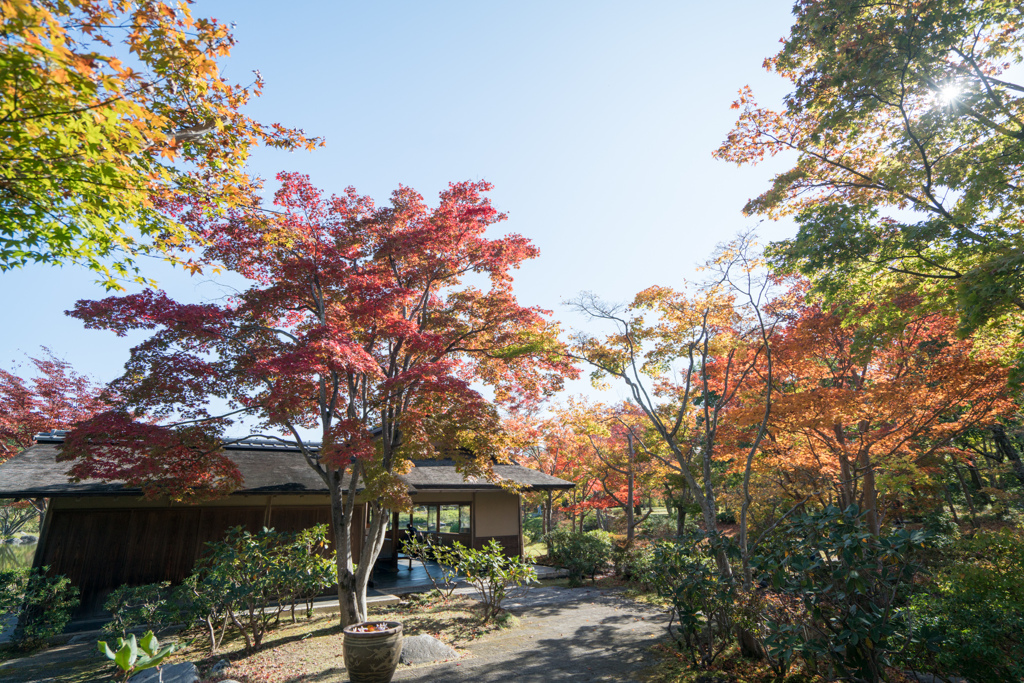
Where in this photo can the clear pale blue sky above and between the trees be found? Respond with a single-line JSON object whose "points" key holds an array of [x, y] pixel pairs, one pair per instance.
{"points": [[595, 122]]}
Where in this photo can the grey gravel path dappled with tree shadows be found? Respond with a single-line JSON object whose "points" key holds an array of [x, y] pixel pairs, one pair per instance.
{"points": [[581, 634]]}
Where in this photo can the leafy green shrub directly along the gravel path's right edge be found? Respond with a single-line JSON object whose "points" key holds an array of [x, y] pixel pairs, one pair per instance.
{"points": [[703, 603]]}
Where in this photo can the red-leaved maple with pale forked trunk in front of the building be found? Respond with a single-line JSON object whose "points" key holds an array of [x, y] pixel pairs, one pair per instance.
{"points": [[359, 324]]}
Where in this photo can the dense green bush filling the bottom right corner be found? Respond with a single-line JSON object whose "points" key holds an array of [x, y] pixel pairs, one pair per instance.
{"points": [[976, 608]]}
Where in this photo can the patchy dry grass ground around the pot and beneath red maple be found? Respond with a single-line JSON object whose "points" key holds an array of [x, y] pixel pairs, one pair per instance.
{"points": [[308, 651]]}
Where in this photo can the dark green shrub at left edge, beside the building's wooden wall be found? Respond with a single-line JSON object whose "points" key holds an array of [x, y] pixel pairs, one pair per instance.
{"points": [[44, 605]]}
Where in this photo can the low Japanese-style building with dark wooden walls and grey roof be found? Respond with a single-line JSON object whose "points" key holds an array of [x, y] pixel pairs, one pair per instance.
{"points": [[103, 535]]}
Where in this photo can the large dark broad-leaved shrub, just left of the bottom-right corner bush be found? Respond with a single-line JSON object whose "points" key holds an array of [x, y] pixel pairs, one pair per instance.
{"points": [[850, 584]]}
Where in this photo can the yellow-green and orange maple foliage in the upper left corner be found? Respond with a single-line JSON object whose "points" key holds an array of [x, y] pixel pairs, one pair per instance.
{"points": [[109, 111]]}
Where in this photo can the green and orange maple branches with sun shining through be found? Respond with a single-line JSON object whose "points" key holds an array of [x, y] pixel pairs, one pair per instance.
{"points": [[909, 134]]}
